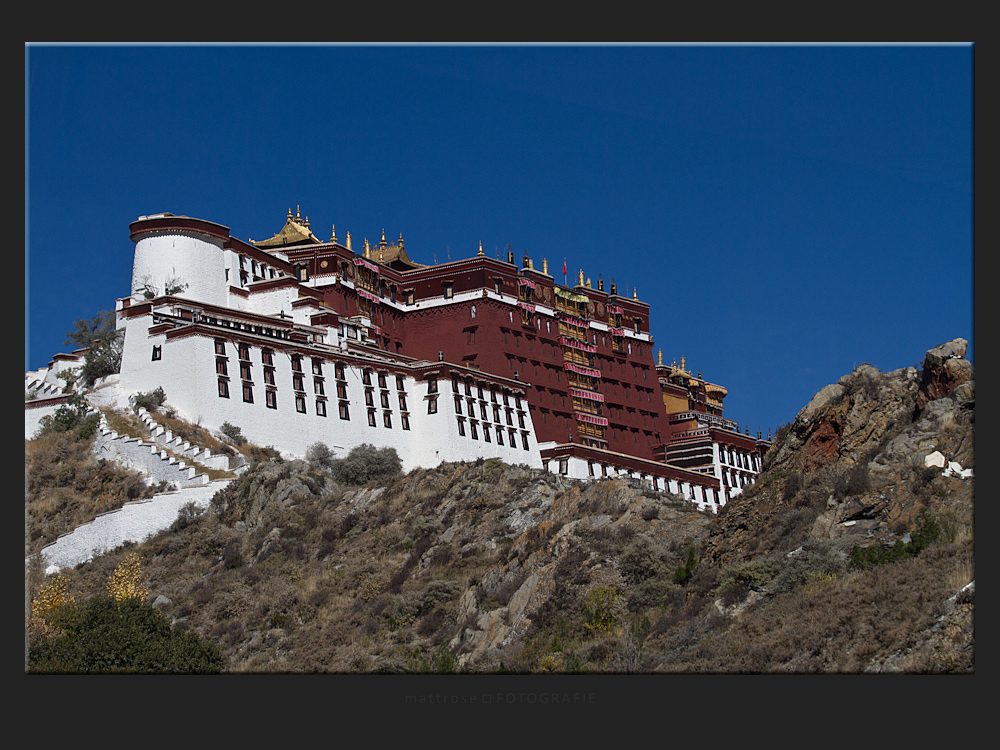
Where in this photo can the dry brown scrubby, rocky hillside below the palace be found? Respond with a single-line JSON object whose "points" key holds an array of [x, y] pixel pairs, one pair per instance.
{"points": [[851, 554]]}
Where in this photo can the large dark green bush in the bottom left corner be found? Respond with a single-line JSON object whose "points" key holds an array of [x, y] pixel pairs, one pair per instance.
{"points": [[104, 636]]}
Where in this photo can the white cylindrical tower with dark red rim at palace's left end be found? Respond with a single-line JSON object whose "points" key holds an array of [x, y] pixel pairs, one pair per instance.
{"points": [[180, 256]]}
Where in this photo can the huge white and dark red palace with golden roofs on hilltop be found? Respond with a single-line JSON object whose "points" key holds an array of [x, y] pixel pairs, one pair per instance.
{"points": [[298, 340]]}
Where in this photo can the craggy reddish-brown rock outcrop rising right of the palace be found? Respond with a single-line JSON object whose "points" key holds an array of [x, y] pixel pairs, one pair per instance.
{"points": [[850, 462]]}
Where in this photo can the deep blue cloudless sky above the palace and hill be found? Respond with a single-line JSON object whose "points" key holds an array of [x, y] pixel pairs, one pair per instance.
{"points": [[788, 211]]}
